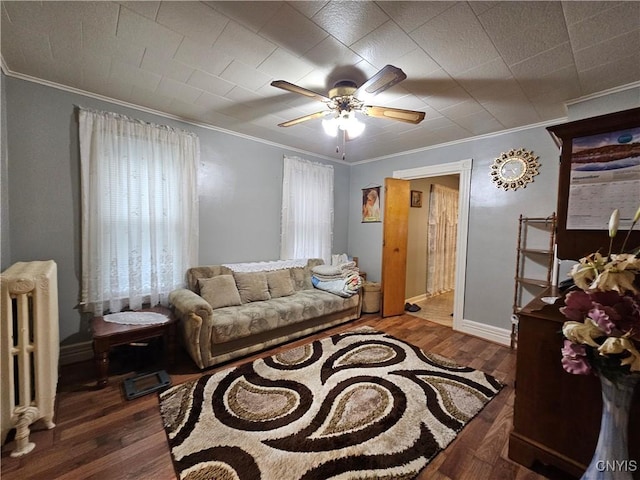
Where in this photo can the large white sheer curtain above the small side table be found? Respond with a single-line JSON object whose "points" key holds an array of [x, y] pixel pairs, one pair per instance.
{"points": [[139, 210]]}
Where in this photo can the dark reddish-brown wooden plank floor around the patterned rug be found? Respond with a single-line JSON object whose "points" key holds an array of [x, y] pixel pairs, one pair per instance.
{"points": [[101, 435]]}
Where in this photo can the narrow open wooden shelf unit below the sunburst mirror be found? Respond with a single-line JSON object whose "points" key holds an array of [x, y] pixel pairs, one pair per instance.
{"points": [[529, 253]]}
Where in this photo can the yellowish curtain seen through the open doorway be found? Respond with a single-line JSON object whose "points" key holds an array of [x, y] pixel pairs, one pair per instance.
{"points": [[441, 239]]}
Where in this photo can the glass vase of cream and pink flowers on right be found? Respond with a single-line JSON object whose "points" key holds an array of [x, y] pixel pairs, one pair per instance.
{"points": [[602, 337]]}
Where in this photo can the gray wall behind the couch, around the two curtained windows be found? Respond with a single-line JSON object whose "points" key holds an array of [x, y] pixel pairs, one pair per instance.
{"points": [[240, 188]]}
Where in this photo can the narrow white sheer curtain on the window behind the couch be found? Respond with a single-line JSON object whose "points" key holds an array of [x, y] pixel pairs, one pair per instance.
{"points": [[307, 210]]}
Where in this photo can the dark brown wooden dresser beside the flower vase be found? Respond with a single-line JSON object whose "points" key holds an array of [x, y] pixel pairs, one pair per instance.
{"points": [[556, 414]]}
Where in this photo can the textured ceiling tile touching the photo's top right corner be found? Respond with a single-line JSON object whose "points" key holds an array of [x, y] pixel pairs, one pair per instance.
{"points": [[623, 18]]}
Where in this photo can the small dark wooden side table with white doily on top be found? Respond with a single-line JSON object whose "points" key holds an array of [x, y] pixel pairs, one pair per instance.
{"points": [[109, 334]]}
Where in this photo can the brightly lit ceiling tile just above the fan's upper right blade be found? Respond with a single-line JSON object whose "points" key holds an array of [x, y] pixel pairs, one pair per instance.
{"points": [[384, 45]]}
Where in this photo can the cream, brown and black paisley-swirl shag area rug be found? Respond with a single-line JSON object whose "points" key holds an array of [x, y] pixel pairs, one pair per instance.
{"points": [[356, 405]]}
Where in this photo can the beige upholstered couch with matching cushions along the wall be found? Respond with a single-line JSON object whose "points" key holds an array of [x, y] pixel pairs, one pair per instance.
{"points": [[228, 311]]}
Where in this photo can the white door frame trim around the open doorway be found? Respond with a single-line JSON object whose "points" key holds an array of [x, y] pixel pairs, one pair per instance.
{"points": [[463, 169]]}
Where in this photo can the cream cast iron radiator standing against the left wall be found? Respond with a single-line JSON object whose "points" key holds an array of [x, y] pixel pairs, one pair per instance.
{"points": [[29, 350]]}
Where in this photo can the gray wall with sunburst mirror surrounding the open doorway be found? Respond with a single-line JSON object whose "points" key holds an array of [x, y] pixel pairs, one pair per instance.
{"points": [[493, 213]]}
